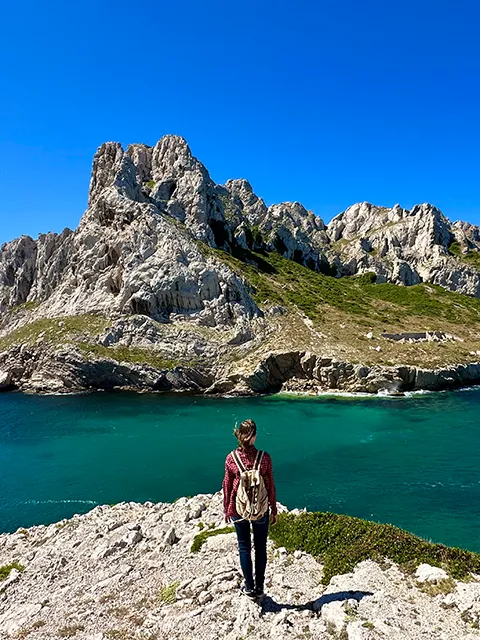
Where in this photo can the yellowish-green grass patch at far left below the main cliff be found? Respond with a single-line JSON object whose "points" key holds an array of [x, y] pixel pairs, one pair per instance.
{"points": [[54, 333]]}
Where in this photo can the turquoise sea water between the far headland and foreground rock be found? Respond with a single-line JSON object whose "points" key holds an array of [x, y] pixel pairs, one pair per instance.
{"points": [[413, 461]]}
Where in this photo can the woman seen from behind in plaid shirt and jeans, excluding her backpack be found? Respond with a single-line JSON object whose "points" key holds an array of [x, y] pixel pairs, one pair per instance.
{"points": [[246, 435]]}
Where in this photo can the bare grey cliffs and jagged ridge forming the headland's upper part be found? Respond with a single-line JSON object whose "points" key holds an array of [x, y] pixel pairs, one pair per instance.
{"points": [[136, 248]]}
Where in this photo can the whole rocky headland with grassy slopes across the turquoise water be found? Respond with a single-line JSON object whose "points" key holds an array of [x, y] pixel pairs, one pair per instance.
{"points": [[173, 282]]}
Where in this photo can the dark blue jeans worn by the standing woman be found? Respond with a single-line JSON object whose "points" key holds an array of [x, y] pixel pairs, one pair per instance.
{"points": [[260, 533]]}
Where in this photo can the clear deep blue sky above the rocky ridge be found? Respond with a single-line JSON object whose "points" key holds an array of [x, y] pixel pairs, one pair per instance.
{"points": [[325, 102]]}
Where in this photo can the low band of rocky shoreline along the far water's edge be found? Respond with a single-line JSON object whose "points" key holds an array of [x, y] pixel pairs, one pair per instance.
{"points": [[67, 370]]}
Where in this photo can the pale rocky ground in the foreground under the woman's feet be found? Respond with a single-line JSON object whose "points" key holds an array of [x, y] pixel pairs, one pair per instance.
{"points": [[127, 570]]}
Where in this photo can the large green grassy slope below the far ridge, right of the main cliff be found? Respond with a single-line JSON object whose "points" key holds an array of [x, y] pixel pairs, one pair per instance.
{"points": [[277, 280]]}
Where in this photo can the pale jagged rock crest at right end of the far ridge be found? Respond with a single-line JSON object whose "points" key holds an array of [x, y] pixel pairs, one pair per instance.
{"points": [[405, 247]]}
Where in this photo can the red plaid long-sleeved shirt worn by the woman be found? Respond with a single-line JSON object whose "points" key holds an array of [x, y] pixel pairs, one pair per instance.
{"points": [[232, 479]]}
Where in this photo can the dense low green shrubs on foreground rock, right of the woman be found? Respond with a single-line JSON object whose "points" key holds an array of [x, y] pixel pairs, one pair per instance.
{"points": [[340, 542]]}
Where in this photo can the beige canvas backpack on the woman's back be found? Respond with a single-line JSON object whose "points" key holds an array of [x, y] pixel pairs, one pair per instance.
{"points": [[252, 498]]}
